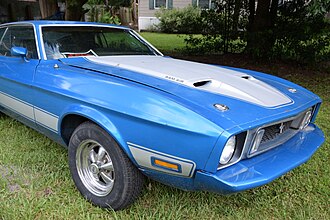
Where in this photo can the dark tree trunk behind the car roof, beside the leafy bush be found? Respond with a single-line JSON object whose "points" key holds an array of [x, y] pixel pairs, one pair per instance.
{"points": [[74, 10]]}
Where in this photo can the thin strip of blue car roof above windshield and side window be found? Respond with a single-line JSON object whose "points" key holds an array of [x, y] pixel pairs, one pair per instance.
{"points": [[53, 22]]}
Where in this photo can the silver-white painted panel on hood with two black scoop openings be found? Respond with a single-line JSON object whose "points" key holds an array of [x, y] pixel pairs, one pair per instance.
{"points": [[199, 76]]}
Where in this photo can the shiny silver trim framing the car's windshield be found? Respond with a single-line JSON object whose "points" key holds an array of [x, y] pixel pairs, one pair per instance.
{"points": [[158, 53]]}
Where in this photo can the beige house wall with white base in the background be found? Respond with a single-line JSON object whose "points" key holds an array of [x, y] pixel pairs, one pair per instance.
{"points": [[147, 18]]}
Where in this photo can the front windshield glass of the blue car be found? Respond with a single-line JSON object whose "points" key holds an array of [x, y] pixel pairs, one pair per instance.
{"points": [[71, 41]]}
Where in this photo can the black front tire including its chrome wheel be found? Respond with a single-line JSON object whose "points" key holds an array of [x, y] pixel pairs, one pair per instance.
{"points": [[102, 172]]}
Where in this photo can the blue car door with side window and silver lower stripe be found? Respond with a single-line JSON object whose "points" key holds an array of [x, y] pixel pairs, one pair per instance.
{"points": [[17, 72]]}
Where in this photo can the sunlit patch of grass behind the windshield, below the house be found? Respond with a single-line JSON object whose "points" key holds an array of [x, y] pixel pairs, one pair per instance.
{"points": [[166, 43]]}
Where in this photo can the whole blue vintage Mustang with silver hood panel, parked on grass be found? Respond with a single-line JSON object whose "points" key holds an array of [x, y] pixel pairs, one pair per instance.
{"points": [[125, 111]]}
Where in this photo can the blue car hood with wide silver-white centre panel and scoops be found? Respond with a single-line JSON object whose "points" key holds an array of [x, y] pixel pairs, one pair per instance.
{"points": [[250, 96]]}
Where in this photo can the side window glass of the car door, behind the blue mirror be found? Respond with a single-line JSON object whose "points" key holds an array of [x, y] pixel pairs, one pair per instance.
{"points": [[19, 36]]}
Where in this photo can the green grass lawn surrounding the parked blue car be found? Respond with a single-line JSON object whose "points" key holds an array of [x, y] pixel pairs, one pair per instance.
{"points": [[35, 182]]}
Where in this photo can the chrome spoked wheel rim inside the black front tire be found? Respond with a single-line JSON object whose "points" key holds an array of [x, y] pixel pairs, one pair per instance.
{"points": [[95, 167]]}
